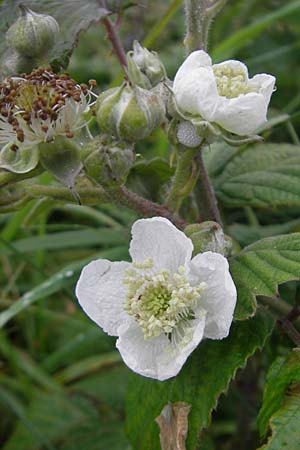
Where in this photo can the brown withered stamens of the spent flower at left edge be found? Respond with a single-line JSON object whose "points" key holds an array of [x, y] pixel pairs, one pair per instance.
{"points": [[37, 98]]}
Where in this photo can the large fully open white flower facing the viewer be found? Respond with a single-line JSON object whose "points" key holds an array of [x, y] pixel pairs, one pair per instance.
{"points": [[163, 303]]}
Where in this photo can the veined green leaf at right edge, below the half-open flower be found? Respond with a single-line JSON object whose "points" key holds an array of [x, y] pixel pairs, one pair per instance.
{"points": [[263, 176]]}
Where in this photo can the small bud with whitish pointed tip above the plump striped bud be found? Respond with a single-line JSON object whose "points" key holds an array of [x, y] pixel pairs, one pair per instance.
{"points": [[144, 67]]}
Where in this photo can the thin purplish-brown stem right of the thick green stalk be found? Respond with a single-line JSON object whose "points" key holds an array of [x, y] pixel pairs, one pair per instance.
{"points": [[205, 194]]}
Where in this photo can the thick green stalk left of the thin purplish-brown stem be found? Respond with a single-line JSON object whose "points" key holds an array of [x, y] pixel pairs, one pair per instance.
{"points": [[184, 179]]}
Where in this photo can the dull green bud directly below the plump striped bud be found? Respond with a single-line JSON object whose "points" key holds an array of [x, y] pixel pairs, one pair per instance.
{"points": [[107, 162]]}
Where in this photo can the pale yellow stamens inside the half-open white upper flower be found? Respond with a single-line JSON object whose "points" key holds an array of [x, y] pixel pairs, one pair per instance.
{"points": [[232, 81]]}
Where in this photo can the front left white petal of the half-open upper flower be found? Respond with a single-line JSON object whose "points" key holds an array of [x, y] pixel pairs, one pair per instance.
{"points": [[196, 93]]}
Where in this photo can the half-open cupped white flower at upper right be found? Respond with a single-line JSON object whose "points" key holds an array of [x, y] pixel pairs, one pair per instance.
{"points": [[223, 93]]}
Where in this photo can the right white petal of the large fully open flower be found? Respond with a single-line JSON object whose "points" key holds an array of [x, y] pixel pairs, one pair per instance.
{"points": [[219, 298]]}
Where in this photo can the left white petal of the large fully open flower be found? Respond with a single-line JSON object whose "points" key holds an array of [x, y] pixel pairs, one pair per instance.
{"points": [[101, 293]]}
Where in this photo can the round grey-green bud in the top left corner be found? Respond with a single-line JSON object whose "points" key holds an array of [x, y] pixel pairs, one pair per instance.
{"points": [[32, 34]]}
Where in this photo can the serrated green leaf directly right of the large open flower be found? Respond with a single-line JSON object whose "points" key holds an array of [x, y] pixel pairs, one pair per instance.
{"points": [[261, 267]]}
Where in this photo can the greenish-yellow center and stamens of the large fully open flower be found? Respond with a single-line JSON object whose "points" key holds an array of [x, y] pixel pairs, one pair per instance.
{"points": [[162, 301]]}
